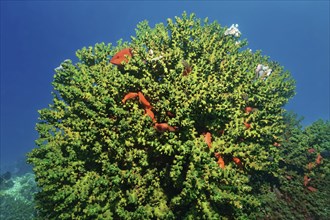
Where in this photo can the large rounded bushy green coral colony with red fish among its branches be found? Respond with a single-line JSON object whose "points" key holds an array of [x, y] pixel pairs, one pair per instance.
{"points": [[159, 133]]}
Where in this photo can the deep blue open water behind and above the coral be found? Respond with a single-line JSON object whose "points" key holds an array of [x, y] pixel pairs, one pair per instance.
{"points": [[37, 36]]}
